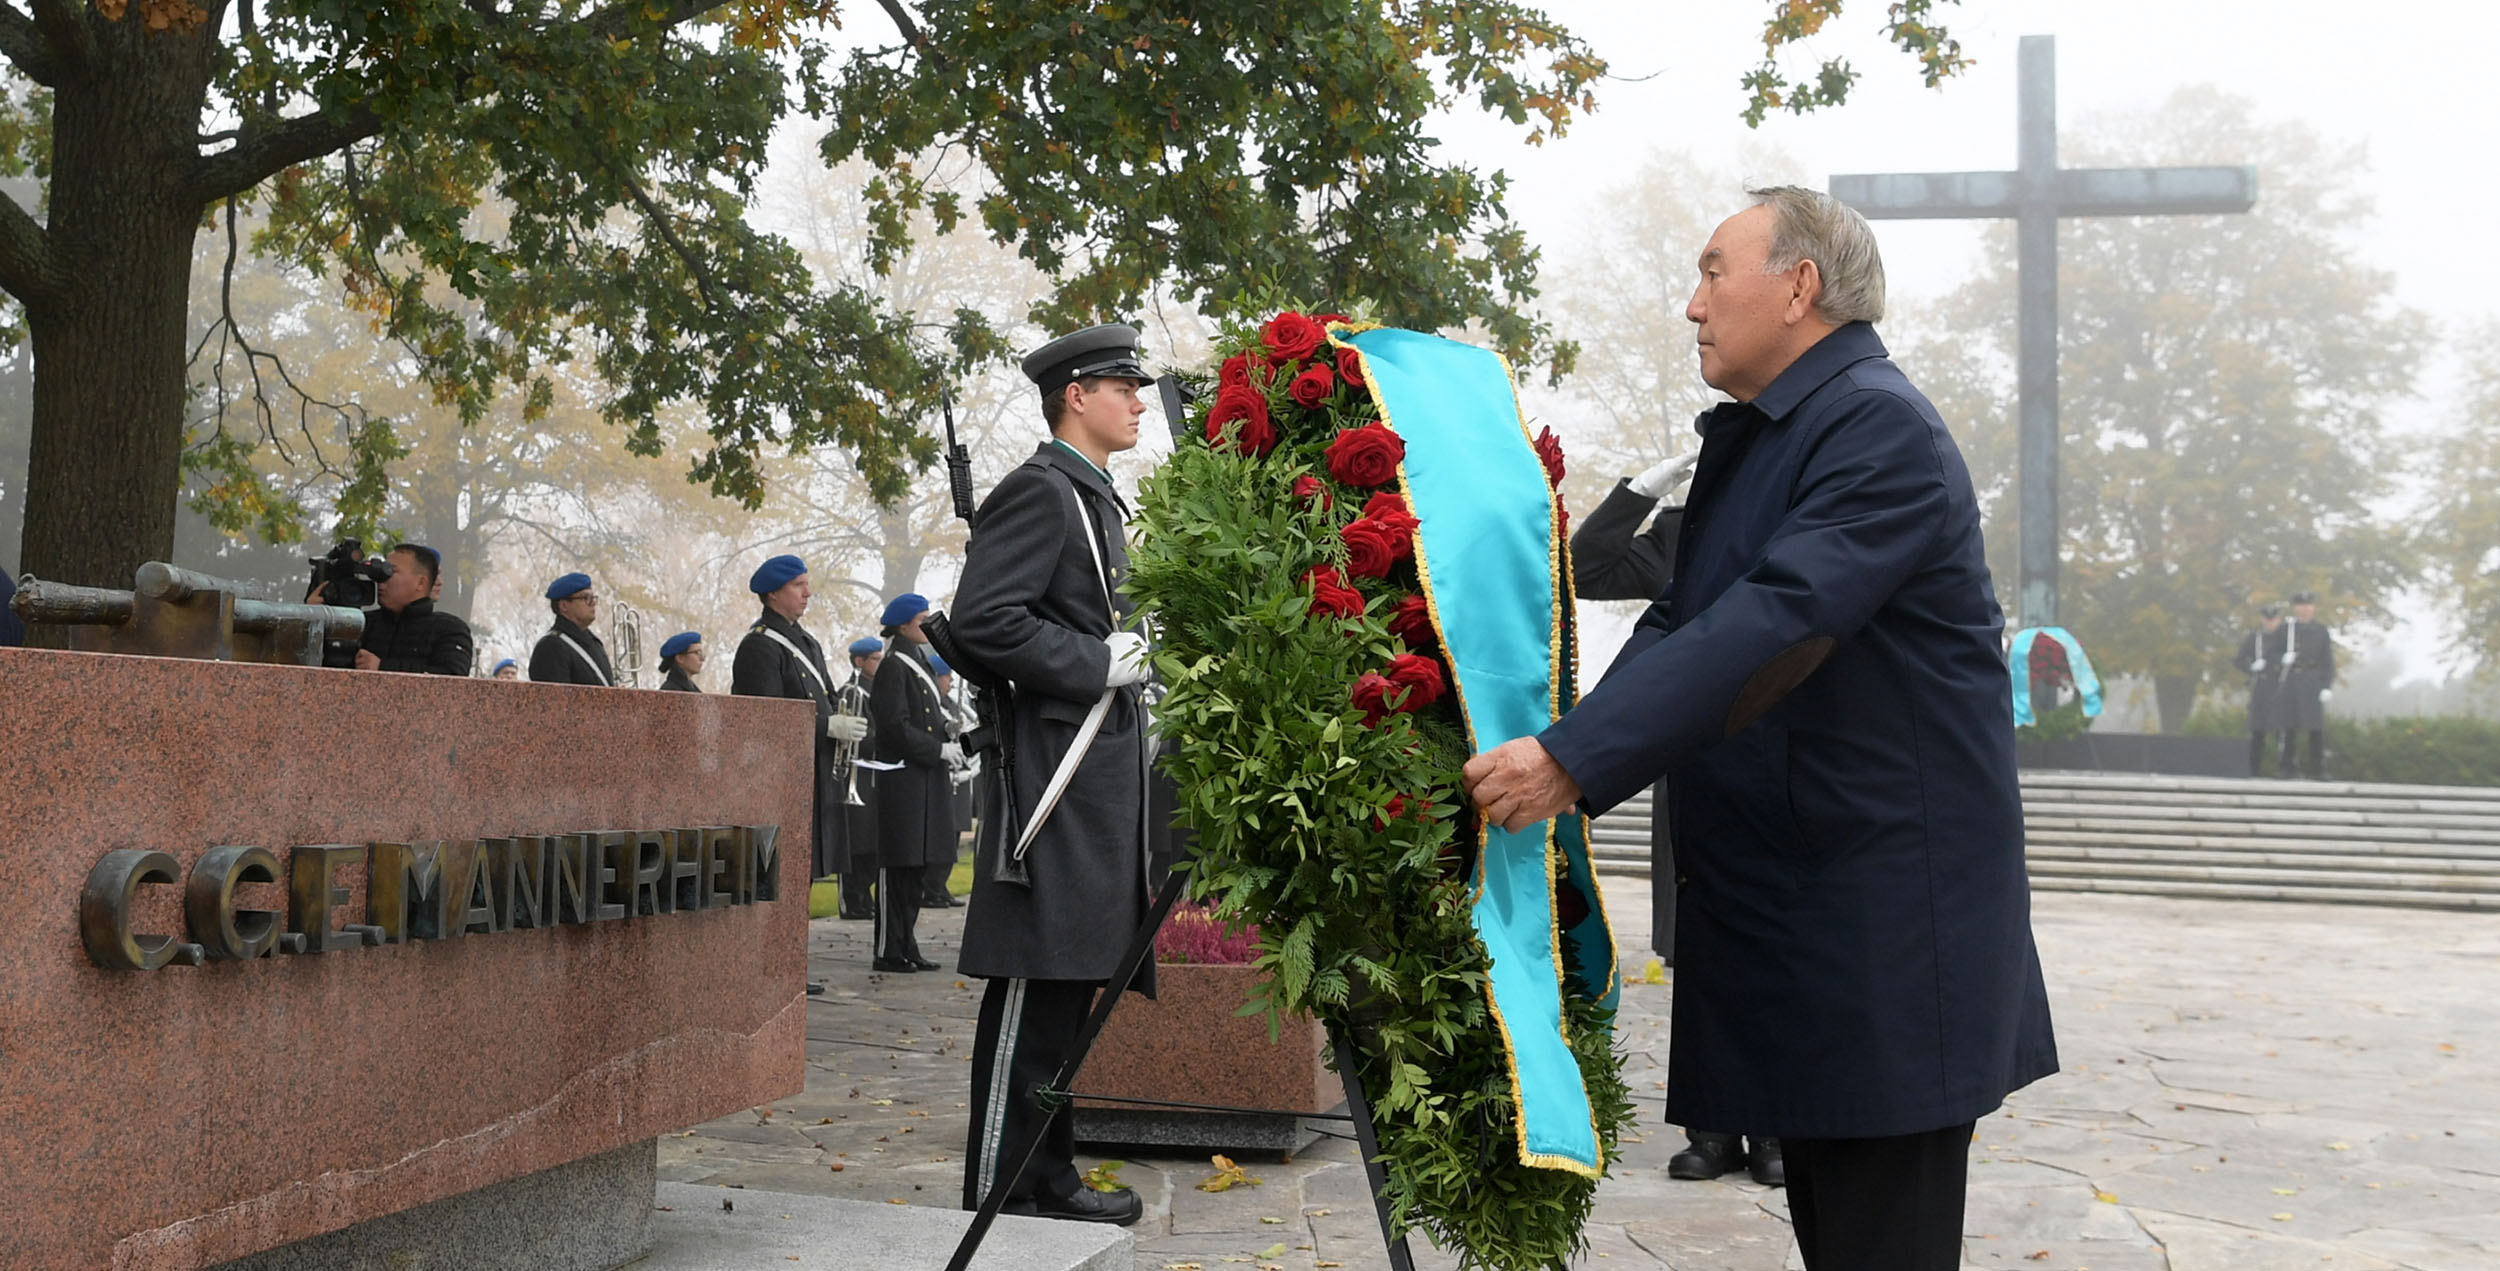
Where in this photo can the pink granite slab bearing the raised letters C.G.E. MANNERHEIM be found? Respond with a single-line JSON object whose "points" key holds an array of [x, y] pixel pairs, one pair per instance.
{"points": [[181, 1117]]}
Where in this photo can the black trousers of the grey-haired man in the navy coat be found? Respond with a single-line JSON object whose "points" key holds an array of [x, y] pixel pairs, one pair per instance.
{"points": [[1881, 1205]]}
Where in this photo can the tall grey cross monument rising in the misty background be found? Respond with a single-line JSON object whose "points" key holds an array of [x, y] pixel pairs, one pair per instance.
{"points": [[2036, 196]]}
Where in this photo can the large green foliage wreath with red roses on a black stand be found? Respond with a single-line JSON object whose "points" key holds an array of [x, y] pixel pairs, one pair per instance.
{"points": [[1316, 739]]}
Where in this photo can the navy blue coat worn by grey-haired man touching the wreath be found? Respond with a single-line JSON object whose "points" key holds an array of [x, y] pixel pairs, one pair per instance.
{"points": [[1824, 692]]}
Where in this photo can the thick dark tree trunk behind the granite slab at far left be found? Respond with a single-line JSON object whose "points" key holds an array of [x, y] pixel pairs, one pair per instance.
{"points": [[106, 452]]}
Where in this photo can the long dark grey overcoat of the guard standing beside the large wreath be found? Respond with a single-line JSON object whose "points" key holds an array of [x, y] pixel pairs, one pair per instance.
{"points": [[1031, 609]]}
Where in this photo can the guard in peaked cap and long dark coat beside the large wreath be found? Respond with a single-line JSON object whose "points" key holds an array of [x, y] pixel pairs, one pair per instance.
{"points": [[1041, 607]]}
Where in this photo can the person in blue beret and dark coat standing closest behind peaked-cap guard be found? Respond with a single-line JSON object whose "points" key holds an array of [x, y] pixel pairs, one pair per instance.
{"points": [[916, 797]]}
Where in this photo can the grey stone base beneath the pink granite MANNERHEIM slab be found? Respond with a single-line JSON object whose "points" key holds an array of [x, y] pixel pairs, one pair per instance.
{"points": [[581, 1217]]}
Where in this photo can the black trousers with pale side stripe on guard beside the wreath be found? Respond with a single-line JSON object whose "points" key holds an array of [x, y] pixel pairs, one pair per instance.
{"points": [[1026, 1032]]}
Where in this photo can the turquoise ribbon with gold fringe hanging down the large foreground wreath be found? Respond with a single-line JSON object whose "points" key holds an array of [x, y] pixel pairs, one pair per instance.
{"points": [[1501, 602]]}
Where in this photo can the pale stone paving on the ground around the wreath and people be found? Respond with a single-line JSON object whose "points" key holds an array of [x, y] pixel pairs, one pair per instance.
{"points": [[2246, 1087]]}
